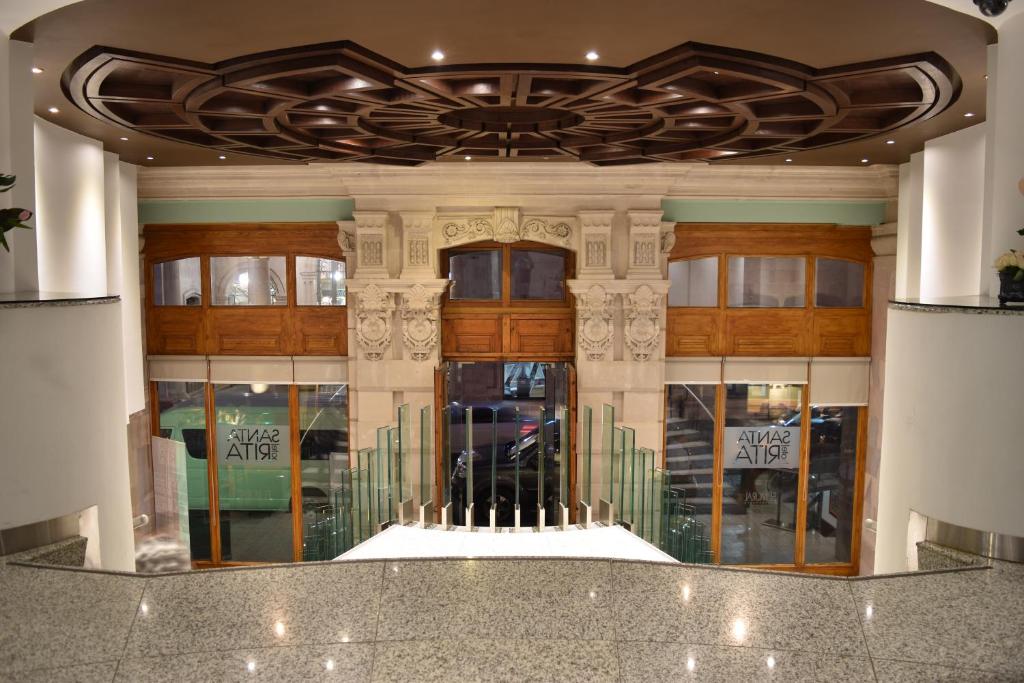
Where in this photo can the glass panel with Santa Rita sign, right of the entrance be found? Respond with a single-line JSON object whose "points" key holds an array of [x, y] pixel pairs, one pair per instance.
{"points": [[761, 463]]}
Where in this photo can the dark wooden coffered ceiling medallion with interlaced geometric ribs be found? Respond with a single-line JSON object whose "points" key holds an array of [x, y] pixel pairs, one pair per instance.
{"points": [[340, 102]]}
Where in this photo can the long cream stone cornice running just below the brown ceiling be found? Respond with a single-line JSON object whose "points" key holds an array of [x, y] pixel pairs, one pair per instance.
{"points": [[441, 184]]}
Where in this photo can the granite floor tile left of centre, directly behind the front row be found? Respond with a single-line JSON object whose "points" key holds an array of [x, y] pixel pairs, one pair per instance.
{"points": [[296, 606]]}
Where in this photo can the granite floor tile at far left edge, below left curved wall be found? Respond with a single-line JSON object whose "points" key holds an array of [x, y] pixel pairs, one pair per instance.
{"points": [[55, 618]]}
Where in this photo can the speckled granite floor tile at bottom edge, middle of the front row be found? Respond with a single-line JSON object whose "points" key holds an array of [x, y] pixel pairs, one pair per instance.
{"points": [[504, 660]]}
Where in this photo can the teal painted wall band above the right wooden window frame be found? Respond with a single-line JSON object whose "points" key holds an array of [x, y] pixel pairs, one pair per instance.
{"points": [[771, 211]]}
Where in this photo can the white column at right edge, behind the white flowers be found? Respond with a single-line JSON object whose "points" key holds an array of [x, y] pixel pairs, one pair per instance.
{"points": [[1007, 146]]}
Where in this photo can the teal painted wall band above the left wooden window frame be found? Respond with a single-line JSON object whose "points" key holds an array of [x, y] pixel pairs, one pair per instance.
{"points": [[238, 211]]}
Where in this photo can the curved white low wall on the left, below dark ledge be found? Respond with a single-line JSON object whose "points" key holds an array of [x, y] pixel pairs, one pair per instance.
{"points": [[65, 445]]}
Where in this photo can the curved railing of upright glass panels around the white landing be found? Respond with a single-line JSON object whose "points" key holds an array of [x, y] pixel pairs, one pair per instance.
{"points": [[505, 471]]}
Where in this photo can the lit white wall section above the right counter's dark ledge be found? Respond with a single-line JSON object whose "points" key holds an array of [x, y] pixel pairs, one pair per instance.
{"points": [[952, 214]]}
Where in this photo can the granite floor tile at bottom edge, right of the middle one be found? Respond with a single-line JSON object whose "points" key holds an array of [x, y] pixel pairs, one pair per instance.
{"points": [[645, 662]]}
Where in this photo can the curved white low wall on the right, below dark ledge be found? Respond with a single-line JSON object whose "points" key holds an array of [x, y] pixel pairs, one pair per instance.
{"points": [[951, 443]]}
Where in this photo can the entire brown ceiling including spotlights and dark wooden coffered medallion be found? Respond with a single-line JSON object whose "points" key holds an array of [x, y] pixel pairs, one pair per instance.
{"points": [[819, 83]]}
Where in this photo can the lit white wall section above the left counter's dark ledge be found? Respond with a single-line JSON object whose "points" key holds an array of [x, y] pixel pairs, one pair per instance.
{"points": [[70, 211]]}
